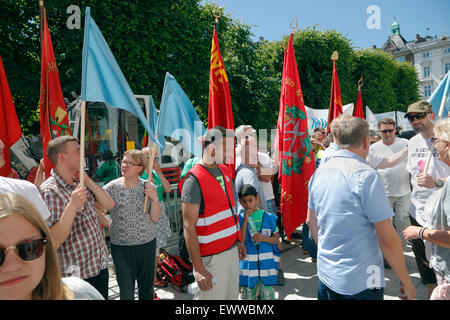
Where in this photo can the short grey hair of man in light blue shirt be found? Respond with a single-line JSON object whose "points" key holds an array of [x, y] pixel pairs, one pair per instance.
{"points": [[351, 131]]}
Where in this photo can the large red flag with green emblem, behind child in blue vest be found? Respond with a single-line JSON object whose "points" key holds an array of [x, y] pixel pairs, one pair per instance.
{"points": [[296, 155]]}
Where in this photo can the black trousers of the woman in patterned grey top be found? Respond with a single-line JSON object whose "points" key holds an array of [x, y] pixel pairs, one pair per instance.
{"points": [[135, 263]]}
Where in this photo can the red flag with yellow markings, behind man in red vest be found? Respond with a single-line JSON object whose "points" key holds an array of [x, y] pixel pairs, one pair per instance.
{"points": [[220, 111]]}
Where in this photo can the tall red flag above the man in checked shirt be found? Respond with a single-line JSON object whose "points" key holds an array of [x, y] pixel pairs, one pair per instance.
{"points": [[53, 112]]}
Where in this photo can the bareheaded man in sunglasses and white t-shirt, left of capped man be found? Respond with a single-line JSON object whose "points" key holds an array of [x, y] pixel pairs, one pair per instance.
{"points": [[396, 179]]}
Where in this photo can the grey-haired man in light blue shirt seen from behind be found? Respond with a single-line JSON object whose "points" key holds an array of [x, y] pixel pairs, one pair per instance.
{"points": [[350, 219]]}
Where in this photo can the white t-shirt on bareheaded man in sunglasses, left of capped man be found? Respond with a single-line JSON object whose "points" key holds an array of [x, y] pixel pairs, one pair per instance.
{"points": [[396, 179]]}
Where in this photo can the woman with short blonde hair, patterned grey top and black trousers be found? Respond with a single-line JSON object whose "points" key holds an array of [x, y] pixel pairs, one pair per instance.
{"points": [[133, 231]]}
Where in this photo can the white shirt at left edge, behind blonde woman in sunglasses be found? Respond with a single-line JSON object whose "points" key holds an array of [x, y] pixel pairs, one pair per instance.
{"points": [[27, 190]]}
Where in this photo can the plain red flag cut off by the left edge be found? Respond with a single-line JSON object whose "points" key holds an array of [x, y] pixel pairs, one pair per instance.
{"points": [[10, 130]]}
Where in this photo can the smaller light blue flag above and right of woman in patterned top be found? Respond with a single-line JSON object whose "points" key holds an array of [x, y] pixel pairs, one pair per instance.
{"points": [[178, 118]]}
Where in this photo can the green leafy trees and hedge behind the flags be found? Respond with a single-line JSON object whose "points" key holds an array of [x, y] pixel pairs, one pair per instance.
{"points": [[150, 37]]}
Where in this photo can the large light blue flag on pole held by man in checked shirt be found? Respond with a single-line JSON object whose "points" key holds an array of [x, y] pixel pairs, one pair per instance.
{"points": [[102, 80]]}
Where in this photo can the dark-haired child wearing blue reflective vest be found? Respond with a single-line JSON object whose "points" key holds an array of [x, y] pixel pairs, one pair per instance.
{"points": [[258, 272]]}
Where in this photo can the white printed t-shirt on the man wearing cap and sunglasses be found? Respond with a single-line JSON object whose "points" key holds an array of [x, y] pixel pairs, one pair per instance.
{"points": [[418, 153]]}
